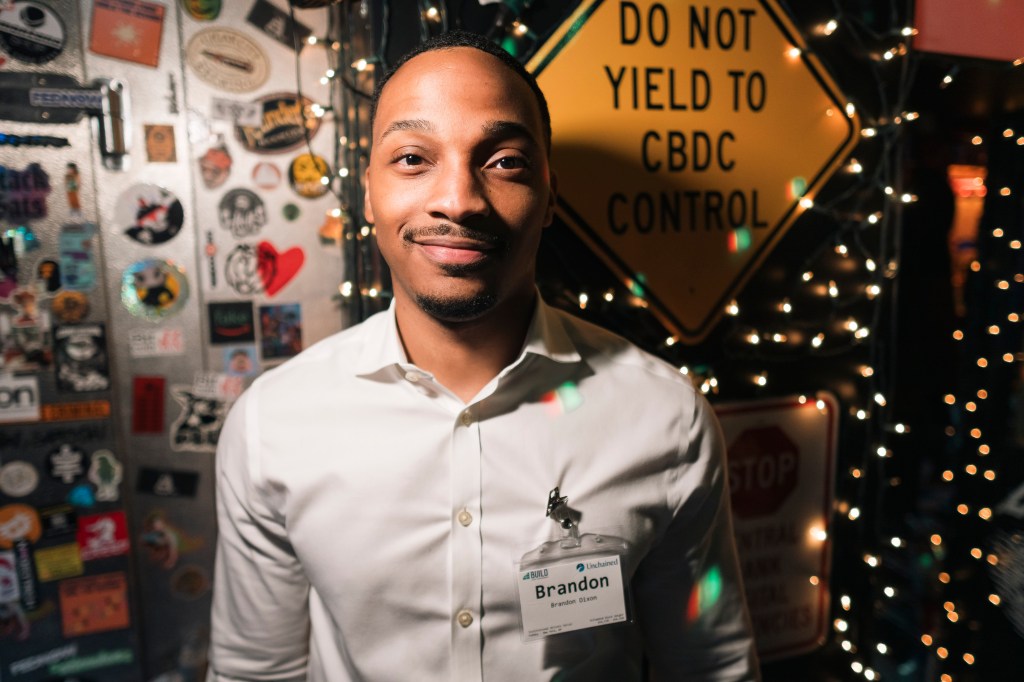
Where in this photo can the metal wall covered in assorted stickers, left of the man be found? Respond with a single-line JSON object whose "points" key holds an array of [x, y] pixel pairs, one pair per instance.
{"points": [[167, 233]]}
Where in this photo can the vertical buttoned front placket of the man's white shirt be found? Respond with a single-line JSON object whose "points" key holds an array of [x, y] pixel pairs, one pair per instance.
{"points": [[466, 550]]}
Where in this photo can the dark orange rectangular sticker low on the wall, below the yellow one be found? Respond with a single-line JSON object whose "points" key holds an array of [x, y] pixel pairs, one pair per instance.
{"points": [[97, 604]]}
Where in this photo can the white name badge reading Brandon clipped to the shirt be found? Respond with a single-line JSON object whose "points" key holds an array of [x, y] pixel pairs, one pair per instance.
{"points": [[574, 595]]}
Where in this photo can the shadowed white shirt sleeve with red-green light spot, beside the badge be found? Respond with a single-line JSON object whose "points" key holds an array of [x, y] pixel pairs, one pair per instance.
{"points": [[689, 590]]}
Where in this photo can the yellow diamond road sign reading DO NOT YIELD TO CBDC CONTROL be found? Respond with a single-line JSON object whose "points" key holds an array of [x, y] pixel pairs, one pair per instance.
{"points": [[688, 139]]}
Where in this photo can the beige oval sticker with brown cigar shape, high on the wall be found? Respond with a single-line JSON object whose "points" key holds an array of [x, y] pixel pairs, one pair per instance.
{"points": [[228, 60]]}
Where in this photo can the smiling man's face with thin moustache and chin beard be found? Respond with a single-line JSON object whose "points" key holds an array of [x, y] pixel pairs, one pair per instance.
{"points": [[459, 187]]}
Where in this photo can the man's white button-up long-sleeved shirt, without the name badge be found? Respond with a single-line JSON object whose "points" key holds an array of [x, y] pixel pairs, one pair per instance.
{"points": [[370, 522]]}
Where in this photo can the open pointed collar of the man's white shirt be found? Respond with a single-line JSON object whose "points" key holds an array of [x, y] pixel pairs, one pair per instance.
{"points": [[545, 337]]}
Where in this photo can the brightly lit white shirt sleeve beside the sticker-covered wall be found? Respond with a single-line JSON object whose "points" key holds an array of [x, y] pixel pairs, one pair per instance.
{"points": [[261, 619]]}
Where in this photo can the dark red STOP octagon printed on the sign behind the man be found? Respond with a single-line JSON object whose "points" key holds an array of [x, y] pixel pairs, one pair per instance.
{"points": [[763, 472]]}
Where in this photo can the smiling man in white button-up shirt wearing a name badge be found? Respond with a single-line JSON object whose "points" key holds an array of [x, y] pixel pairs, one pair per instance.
{"points": [[378, 492]]}
